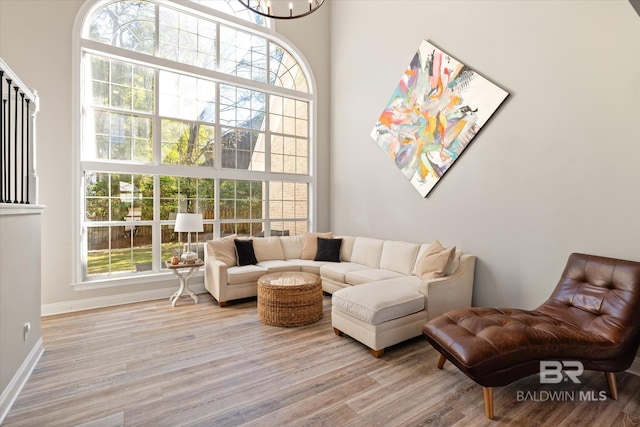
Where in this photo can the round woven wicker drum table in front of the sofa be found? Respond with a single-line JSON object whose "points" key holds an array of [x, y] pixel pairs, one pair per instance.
{"points": [[289, 299]]}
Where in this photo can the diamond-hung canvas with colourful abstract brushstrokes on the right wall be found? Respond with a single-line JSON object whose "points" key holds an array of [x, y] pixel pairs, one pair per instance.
{"points": [[435, 112]]}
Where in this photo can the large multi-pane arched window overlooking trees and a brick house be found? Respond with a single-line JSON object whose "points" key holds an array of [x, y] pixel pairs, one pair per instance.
{"points": [[187, 108]]}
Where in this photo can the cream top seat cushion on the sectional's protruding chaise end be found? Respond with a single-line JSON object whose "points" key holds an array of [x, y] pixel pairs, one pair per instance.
{"points": [[376, 303]]}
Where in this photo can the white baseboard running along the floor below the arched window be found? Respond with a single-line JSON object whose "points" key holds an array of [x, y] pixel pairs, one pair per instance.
{"points": [[111, 300]]}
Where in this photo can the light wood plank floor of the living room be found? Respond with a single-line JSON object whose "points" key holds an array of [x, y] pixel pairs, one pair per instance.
{"points": [[149, 364]]}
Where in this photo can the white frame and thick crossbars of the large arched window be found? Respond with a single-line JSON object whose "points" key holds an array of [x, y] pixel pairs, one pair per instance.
{"points": [[83, 46]]}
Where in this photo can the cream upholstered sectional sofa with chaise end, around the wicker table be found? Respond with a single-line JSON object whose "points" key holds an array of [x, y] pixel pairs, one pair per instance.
{"points": [[380, 295]]}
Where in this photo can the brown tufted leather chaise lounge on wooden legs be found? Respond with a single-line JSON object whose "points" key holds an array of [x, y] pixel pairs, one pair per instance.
{"points": [[593, 316]]}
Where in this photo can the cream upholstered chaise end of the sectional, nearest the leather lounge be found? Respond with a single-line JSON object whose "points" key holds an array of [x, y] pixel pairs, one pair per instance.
{"points": [[378, 314]]}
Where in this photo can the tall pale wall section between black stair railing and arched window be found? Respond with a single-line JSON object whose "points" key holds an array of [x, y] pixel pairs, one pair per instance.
{"points": [[35, 40]]}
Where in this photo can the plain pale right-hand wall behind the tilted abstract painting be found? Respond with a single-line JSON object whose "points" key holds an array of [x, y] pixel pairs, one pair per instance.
{"points": [[556, 170]]}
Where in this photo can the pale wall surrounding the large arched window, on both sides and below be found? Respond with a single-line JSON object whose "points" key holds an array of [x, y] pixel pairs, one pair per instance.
{"points": [[36, 42]]}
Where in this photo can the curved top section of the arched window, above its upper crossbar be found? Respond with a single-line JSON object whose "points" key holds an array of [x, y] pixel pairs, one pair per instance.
{"points": [[185, 36]]}
